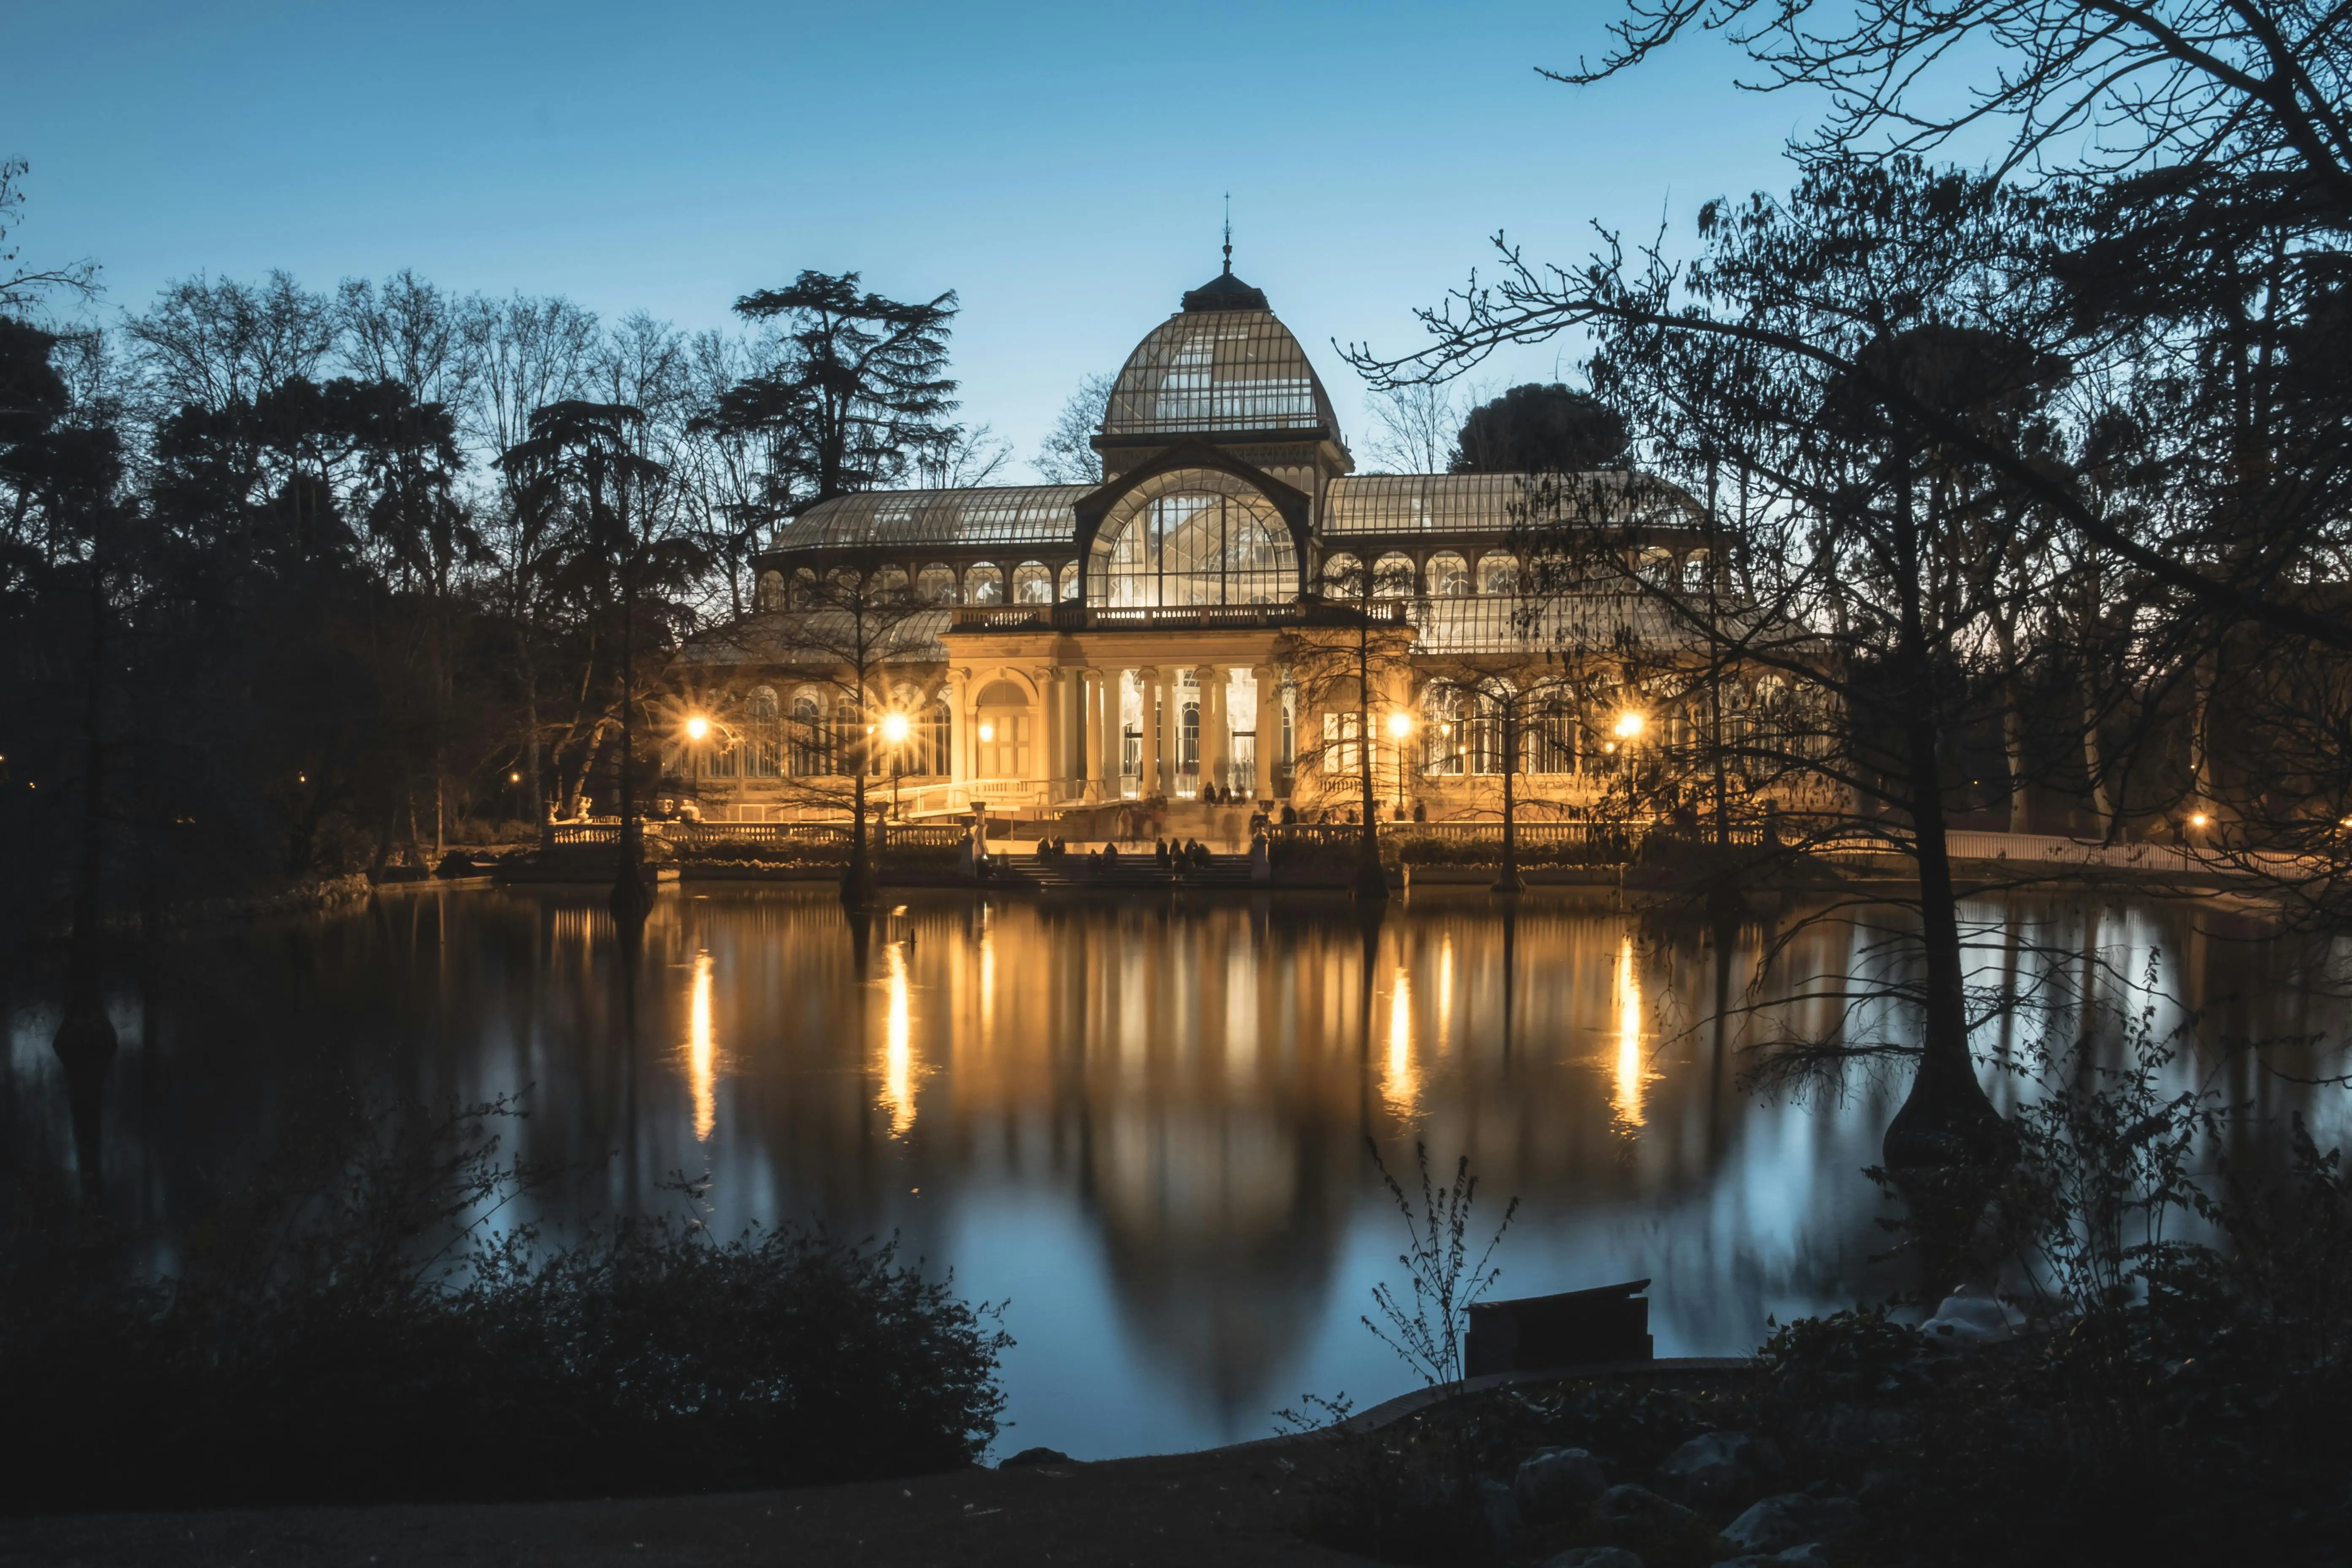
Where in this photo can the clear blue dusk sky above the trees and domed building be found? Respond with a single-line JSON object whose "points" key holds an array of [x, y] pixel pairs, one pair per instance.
{"points": [[1062, 168]]}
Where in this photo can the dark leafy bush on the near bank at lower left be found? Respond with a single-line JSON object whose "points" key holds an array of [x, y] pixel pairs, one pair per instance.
{"points": [[349, 1332]]}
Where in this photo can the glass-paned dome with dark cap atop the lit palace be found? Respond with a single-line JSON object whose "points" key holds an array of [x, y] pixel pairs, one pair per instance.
{"points": [[1222, 366]]}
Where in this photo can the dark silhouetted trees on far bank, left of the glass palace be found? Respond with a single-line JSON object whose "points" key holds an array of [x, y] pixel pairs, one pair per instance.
{"points": [[305, 582]]}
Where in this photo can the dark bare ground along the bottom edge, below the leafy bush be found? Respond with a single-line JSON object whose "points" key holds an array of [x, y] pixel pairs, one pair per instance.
{"points": [[1236, 1506]]}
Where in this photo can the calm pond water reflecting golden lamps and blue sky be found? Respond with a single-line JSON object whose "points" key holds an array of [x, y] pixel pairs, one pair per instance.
{"points": [[1140, 1127]]}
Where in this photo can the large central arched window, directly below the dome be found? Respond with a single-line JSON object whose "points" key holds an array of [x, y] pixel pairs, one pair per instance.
{"points": [[1194, 537]]}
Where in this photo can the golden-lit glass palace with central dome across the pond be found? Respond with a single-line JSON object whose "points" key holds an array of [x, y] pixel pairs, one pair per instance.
{"points": [[1177, 629]]}
